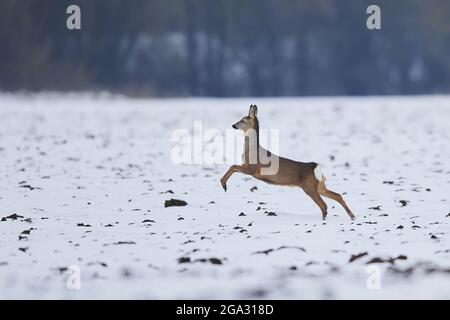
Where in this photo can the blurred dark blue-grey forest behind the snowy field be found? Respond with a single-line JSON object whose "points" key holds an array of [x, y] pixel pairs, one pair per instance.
{"points": [[225, 48]]}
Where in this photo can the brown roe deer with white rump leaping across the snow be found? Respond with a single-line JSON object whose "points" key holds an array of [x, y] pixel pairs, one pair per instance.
{"points": [[306, 175]]}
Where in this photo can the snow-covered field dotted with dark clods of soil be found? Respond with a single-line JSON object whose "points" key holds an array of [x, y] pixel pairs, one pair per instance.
{"points": [[84, 180]]}
